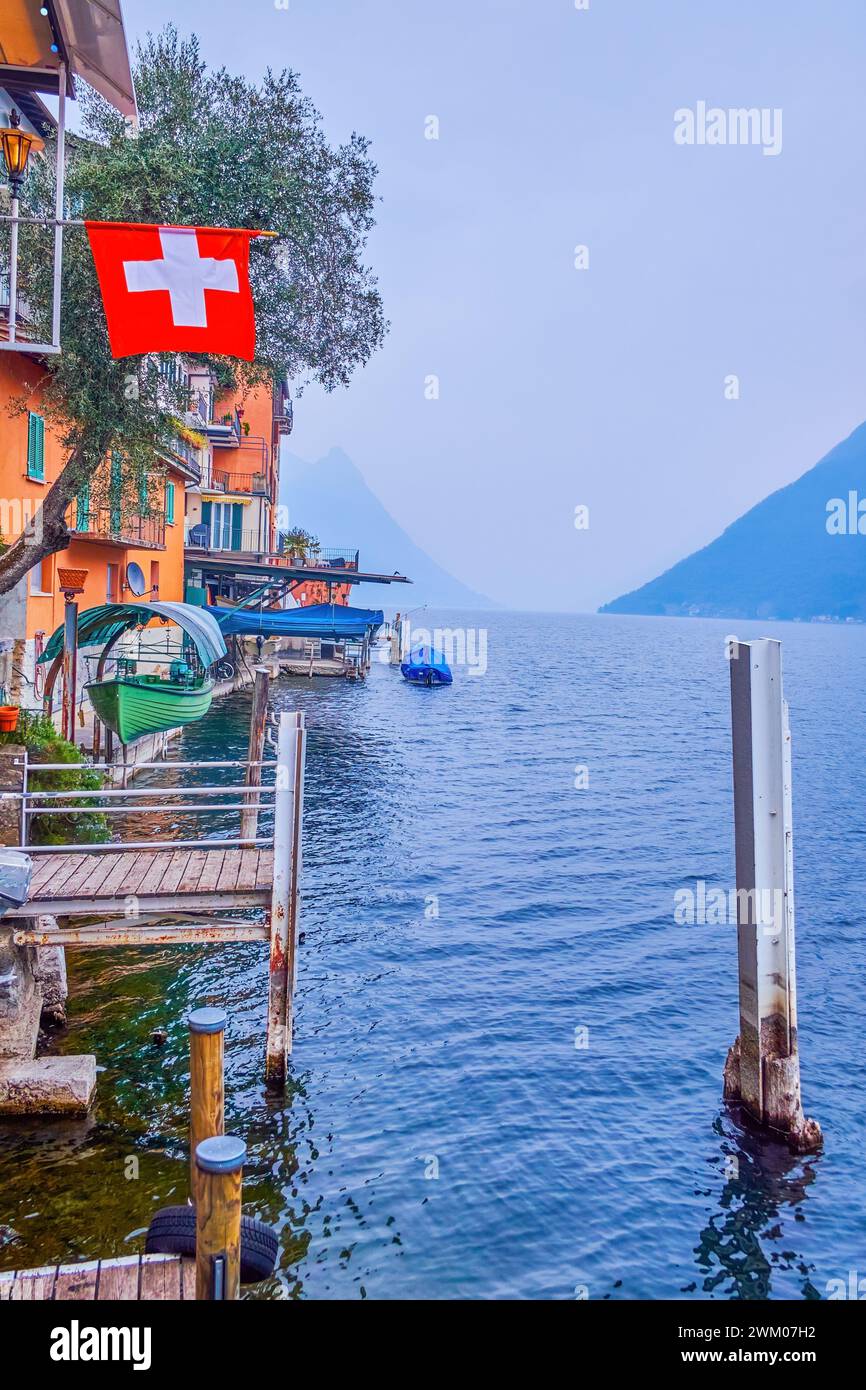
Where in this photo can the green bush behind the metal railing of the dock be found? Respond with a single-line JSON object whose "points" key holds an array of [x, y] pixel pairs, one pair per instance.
{"points": [[47, 746]]}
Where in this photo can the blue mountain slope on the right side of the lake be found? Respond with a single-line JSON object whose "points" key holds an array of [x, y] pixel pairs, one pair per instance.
{"points": [[792, 557]]}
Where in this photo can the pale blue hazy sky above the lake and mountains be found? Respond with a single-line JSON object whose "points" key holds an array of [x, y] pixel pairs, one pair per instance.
{"points": [[604, 387]]}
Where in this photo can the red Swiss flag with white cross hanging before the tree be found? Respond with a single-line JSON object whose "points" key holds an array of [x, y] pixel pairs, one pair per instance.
{"points": [[176, 288]]}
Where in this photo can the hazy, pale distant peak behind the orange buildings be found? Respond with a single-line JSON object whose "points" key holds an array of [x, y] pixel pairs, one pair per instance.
{"points": [[332, 500]]}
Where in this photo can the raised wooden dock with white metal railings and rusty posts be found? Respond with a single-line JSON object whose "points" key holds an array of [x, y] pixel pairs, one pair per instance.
{"points": [[172, 893]]}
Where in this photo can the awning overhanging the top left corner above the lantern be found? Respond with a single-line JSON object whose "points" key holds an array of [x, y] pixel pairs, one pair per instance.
{"points": [[88, 35]]}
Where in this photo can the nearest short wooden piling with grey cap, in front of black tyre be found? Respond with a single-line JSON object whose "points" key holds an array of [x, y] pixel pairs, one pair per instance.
{"points": [[220, 1164]]}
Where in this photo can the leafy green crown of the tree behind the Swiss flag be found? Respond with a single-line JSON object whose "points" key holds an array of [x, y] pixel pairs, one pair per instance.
{"points": [[212, 151]]}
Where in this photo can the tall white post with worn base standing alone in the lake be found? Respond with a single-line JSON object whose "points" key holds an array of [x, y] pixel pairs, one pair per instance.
{"points": [[762, 1070]]}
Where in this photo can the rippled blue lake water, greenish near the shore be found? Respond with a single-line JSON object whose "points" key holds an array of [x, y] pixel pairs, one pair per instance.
{"points": [[507, 1078]]}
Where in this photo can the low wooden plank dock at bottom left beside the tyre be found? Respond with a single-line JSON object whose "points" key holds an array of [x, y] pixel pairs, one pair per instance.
{"points": [[131, 1278]]}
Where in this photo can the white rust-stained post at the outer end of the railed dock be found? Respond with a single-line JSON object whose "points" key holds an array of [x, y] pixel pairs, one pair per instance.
{"points": [[291, 750]]}
